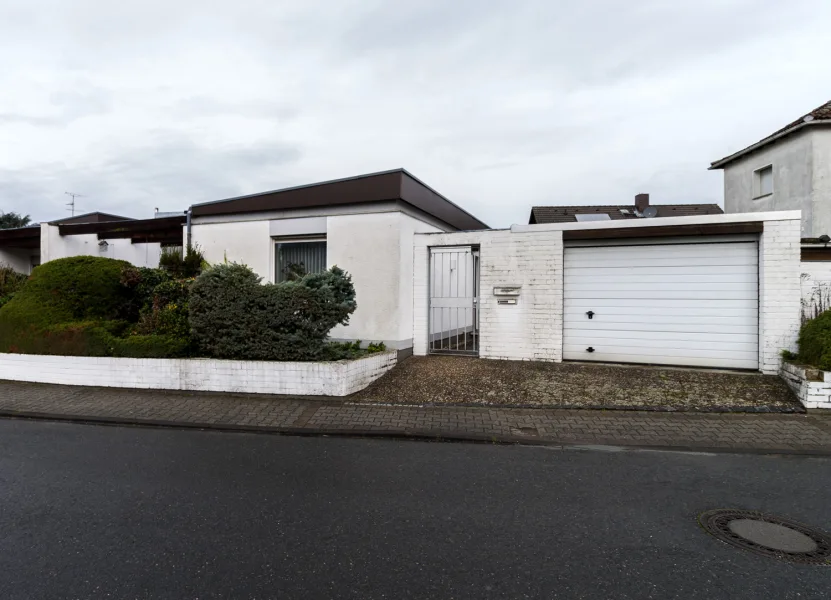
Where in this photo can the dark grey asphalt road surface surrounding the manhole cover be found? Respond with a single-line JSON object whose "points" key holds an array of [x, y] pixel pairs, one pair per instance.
{"points": [[110, 512]]}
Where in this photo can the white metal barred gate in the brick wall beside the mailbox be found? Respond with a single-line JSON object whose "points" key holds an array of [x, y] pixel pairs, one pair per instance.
{"points": [[454, 300]]}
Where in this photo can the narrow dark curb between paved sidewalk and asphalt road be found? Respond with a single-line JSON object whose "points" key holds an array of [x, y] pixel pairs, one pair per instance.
{"points": [[413, 435]]}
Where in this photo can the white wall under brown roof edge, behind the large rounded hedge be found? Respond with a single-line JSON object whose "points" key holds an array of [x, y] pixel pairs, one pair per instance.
{"points": [[54, 246]]}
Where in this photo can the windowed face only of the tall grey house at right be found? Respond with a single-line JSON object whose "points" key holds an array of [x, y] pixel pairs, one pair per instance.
{"points": [[792, 159]]}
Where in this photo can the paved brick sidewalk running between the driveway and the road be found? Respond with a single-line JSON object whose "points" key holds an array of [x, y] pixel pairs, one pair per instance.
{"points": [[797, 433]]}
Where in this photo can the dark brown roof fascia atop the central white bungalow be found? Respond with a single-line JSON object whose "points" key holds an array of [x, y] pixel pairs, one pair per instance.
{"points": [[396, 185]]}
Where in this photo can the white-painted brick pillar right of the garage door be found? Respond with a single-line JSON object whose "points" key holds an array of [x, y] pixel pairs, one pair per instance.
{"points": [[779, 292]]}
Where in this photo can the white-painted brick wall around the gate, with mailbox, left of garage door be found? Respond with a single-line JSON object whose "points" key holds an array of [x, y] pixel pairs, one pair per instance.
{"points": [[530, 330]]}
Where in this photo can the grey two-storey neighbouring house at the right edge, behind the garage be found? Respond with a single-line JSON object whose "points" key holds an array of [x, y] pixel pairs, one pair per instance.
{"points": [[791, 170]]}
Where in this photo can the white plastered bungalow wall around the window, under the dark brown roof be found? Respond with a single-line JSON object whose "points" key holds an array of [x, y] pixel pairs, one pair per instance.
{"points": [[374, 245]]}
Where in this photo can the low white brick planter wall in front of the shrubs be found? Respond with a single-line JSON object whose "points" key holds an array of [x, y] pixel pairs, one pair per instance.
{"points": [[339, 378]]}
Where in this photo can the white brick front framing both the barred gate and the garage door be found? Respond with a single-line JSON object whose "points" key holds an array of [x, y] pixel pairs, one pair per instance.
{"points": [[531, 256]]}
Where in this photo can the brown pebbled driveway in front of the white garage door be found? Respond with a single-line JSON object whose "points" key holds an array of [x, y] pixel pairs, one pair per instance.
{"points": [[439, 380]]}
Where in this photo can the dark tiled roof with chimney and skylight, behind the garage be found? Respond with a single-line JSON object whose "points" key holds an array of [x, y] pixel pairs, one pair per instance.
{"points": [[614, 212]]}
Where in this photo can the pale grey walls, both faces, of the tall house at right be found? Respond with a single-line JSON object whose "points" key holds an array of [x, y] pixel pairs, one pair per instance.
{"points": [[801, 165]]}
